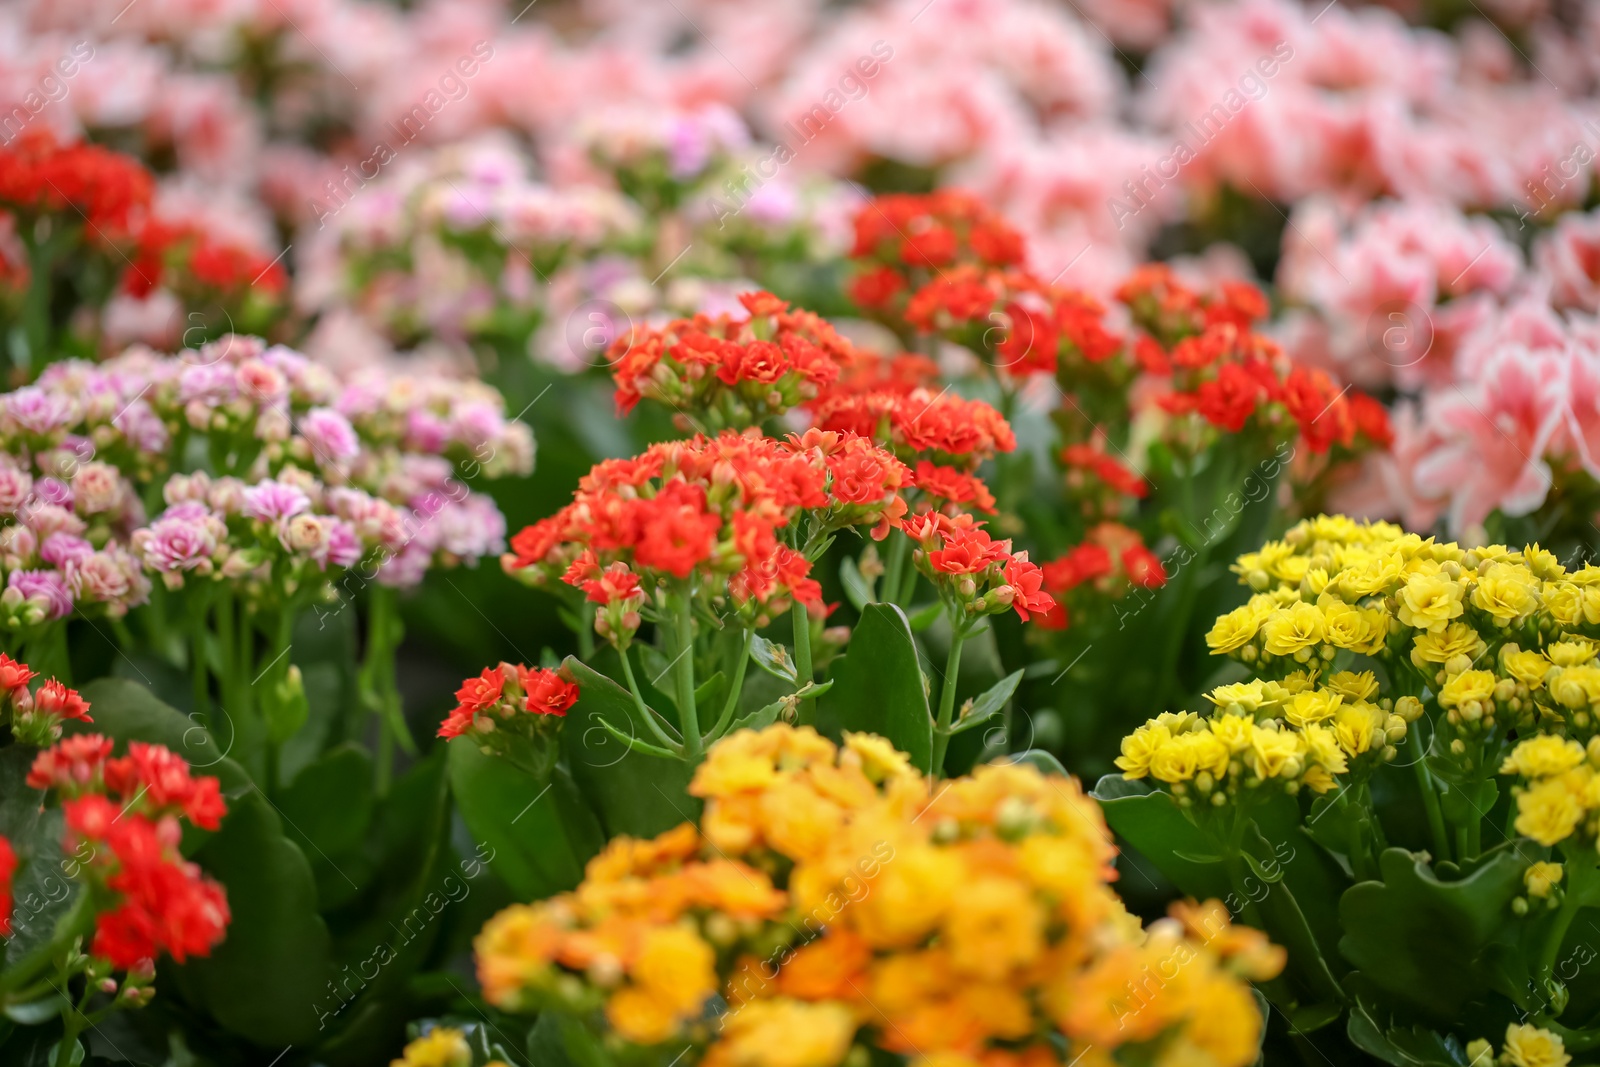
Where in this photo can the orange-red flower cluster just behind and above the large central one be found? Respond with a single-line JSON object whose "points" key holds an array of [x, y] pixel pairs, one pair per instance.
{"points": [[730, 372]]}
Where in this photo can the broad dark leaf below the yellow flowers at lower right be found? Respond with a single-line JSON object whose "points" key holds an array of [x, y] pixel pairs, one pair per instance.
{"points": [[1418, 938]]}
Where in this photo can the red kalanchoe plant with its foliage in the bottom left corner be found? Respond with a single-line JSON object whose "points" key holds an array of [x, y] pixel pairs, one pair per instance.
{"points": [[113, 828]]}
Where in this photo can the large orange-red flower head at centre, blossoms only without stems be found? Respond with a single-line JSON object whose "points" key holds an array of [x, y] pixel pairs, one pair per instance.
{"points": [[716, 513]]}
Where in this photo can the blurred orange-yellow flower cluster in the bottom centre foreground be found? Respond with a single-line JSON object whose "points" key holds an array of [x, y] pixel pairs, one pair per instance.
{"points": [[961, 927]]}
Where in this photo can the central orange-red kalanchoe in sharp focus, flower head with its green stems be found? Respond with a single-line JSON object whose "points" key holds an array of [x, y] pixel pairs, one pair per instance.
{"points": [[711, 540]]}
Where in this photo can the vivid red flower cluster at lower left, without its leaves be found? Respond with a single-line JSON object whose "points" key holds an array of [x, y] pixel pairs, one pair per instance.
{"points": [[129, 810]]}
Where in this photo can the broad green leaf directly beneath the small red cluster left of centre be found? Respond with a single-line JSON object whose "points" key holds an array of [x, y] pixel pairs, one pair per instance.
{"points": [[542, 834]]}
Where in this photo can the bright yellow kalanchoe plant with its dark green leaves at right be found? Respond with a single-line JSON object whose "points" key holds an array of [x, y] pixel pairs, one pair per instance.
{"points": [[1422, 737]]}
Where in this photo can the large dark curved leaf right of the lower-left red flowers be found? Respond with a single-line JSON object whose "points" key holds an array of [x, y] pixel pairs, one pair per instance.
{"points": [[263, 980]]}
